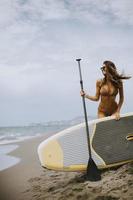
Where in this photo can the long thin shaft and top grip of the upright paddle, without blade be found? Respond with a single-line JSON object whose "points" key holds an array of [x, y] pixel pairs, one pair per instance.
{"points": [[85, 111]]}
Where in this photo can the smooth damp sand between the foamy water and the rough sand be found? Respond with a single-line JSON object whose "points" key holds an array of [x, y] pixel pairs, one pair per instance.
{"points": [[14, 180]]}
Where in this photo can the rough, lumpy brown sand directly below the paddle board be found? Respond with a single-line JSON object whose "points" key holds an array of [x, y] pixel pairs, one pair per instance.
{"points": [[115, 184]]}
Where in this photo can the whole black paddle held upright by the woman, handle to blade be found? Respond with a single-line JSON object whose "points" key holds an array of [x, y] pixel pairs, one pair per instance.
{"points": [[93, 173]]}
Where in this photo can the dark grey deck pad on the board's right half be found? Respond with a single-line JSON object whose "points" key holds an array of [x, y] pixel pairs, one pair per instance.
{"points": [[117, 147]]}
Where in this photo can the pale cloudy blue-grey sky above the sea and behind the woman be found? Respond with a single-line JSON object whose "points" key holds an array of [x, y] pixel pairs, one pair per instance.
{"points": [[39, 43]]}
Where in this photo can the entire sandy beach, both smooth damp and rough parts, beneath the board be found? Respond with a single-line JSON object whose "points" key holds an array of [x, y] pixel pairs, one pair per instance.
{"points": [[28, 180]]}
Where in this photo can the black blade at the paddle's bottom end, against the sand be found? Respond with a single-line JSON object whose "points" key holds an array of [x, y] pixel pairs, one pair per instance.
{"points": [[93, 173]]}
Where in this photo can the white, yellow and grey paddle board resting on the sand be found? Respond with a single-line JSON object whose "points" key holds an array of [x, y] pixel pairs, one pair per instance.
{"points": [[111, 144]]}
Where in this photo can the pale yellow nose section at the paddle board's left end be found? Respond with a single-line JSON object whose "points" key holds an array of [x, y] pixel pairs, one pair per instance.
{"points": [[51, 155]]}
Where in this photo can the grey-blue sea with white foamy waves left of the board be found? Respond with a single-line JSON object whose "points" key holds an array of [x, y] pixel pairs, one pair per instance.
{"points": [[10, 135]]}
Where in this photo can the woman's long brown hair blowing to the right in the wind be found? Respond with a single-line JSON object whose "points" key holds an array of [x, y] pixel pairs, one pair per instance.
{"points": [[115, 77]]}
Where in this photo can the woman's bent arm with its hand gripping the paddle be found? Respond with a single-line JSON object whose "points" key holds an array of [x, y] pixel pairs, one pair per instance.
{"points": [[97, 95]]}
